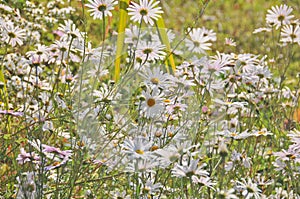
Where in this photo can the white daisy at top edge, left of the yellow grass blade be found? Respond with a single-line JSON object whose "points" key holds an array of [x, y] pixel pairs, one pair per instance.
{"points": [[100, 7]]}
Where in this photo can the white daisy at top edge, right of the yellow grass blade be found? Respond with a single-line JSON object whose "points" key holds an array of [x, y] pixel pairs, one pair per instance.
{"points": [[146, 10]]}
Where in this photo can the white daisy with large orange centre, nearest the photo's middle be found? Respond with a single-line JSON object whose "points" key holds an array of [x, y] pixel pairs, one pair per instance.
{"points": [[152, 106]]}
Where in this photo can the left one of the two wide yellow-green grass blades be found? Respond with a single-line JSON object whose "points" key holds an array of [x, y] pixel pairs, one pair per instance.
{"points": [[121, 36]]}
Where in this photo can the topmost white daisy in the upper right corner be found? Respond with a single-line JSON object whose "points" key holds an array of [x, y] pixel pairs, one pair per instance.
{"points": [[279, 15]]}
